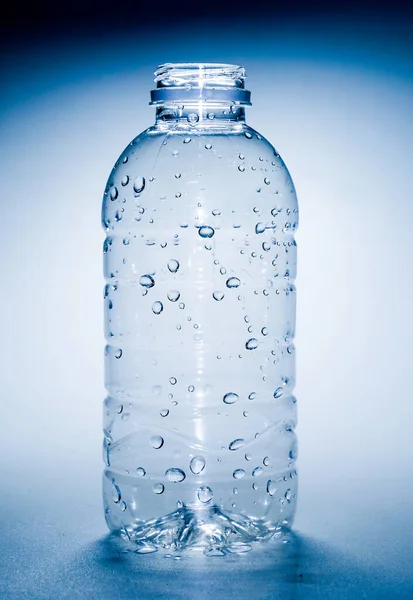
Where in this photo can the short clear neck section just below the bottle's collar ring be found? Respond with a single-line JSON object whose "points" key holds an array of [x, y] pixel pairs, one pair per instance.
{"points": [[200, 113]]}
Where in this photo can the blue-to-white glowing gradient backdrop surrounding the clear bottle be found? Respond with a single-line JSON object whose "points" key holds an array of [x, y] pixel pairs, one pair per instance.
{"points": [[335, 97]]}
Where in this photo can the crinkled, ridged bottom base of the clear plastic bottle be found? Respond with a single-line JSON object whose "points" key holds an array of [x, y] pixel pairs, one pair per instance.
{"points": [[207, 530]]}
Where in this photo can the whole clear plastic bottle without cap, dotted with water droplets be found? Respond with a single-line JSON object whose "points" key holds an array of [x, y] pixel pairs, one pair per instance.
{"points": [[200, 261]]}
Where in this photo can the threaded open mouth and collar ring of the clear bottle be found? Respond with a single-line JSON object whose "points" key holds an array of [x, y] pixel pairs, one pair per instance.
{"points": [[209, 82]]}
